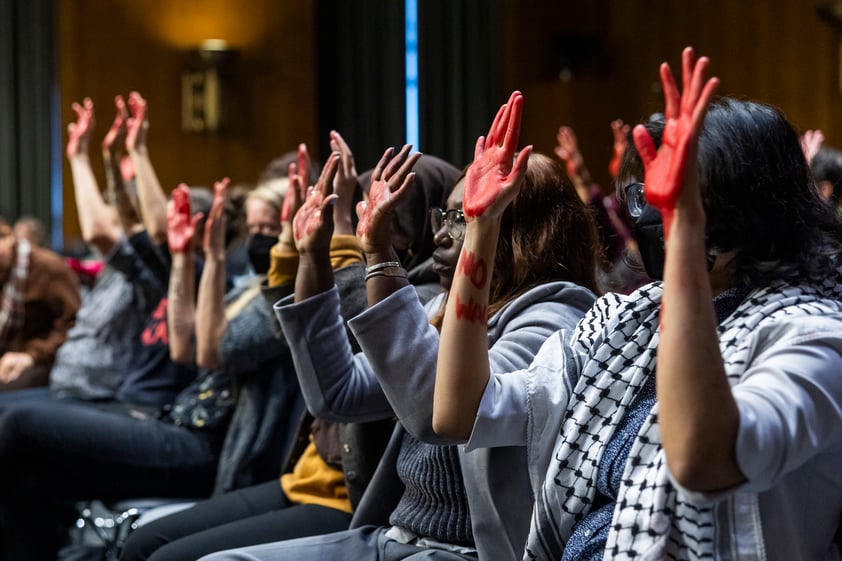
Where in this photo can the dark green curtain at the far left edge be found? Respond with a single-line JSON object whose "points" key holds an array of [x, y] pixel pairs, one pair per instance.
{"points": [[27, 102]]}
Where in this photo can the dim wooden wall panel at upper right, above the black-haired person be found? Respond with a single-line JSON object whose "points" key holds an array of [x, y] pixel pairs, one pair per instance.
{"points": [[775, 51]]}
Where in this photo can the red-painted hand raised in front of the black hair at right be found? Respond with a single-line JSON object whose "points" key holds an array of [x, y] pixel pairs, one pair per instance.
{"points": [[666, 168]]}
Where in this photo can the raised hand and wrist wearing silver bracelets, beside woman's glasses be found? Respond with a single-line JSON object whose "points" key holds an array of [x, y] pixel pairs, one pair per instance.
{"points": [[390, 182]]}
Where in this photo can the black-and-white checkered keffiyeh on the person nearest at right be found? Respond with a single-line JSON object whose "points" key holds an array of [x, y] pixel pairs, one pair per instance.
{"points": [[619, 337]]}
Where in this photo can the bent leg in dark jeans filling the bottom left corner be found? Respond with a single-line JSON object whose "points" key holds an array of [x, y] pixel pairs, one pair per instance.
{"points": [[53, 452]]}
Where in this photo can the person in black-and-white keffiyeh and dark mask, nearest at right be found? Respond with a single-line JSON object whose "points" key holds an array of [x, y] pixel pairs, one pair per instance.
{"points": [[696, 418]]}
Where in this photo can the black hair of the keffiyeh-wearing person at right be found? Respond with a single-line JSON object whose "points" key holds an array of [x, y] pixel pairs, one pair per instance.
{"points": [[758, 195]]}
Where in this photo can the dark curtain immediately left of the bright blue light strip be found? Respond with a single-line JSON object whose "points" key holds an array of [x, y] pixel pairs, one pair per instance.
{"points": [[361, 86]]}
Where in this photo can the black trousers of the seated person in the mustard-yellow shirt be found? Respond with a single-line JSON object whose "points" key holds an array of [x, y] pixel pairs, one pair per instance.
{"points": [[250, 516]]}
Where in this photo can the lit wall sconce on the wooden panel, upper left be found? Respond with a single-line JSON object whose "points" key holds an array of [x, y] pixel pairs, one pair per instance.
{"points": [[204, 87]]}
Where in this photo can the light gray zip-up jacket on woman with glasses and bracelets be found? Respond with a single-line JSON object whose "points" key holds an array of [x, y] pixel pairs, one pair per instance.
{"points": [[395, 375]]}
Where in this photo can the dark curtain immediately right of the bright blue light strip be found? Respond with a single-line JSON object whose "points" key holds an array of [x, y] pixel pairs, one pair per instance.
{"points": [[459, 57]]}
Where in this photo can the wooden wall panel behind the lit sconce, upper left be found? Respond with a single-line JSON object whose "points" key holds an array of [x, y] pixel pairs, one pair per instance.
{"points": [[114, 46]]}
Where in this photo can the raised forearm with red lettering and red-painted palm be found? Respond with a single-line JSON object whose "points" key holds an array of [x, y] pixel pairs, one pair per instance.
{"points": [[491, 183]]}
